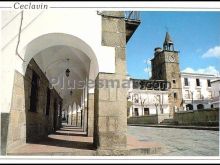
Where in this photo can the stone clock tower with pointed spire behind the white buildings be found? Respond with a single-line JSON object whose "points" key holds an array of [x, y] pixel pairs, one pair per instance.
{"points": [[165, 66]]}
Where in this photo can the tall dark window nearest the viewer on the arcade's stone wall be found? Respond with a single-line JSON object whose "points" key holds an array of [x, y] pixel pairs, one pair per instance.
{"points": [[34, 92]]}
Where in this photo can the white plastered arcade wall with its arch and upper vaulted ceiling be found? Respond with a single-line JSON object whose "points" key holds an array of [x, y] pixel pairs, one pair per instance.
{"points": [[51, 37]]}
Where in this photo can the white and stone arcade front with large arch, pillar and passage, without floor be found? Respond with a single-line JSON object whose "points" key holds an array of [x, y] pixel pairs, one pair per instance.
{"points": [[55, 62]]}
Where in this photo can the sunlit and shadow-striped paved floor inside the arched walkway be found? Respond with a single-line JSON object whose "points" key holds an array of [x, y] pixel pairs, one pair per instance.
{"points": [[66, 141]]}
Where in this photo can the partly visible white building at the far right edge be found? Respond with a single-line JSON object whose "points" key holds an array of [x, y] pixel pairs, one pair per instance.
{"points": [[216, 93]]}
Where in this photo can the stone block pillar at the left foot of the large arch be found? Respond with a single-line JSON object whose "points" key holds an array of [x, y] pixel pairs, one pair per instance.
{"points": [[17, 120]]}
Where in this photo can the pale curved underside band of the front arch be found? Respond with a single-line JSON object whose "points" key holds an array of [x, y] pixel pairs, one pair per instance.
{"points": [[49, 40]]}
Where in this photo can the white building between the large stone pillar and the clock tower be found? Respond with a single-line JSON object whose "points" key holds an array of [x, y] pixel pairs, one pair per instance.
{"points": [[147, 102]]}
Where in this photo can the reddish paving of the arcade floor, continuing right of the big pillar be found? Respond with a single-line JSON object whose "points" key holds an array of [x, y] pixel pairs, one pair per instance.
{"points": [[71, 140]]}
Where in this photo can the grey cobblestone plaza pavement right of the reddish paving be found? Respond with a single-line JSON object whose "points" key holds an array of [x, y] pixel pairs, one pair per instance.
{"points": [[179, 142]]}
